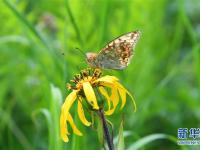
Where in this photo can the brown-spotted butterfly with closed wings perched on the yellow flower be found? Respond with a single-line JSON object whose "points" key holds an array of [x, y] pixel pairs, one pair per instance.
{"points": [[116, 54]]}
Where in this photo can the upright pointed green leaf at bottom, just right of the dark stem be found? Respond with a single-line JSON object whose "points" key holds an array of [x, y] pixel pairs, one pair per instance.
{"points": [[120, 143]]}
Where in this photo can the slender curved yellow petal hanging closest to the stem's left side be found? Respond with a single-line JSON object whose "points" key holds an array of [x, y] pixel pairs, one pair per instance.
{"points": [[81, 113]]}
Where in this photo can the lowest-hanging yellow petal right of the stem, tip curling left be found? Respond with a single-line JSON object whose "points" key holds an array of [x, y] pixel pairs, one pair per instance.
{"points": [[115, 99]]}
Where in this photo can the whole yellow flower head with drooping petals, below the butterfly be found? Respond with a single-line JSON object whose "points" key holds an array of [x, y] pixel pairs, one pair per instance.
{"points": [[84, 87]]}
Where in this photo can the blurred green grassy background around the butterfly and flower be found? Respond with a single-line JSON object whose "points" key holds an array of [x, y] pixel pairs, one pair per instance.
{"points": [[38, 57]]}
